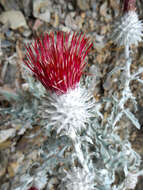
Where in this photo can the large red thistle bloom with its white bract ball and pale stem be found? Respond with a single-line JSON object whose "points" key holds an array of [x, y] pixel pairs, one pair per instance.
{"points": [[58, 63]]}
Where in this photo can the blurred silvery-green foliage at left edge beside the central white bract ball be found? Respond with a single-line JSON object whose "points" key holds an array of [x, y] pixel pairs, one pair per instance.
{"points": [[24, 105]]}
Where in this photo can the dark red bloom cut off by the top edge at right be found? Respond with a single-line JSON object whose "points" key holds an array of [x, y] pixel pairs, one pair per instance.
{"points": [[129, 5]]}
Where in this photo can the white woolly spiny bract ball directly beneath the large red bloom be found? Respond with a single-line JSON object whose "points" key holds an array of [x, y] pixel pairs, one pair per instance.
{"points": [[70, 111]]}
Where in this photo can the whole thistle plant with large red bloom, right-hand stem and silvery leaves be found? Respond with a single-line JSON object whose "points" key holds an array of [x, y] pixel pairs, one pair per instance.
{"points": [[99, 158]]}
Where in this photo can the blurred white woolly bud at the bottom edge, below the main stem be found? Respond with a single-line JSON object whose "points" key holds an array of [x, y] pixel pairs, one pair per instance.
{"points": [[79, 179]]}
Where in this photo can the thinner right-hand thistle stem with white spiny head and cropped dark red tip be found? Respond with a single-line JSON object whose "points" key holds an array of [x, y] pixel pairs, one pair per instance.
{"points": [[128, 32]]}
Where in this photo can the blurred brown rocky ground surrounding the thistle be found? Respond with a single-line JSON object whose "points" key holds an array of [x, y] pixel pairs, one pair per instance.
{"points": [[20, 22]]}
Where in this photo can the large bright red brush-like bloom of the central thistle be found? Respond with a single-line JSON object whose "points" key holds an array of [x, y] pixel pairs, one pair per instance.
{"points": [[58, 62]]}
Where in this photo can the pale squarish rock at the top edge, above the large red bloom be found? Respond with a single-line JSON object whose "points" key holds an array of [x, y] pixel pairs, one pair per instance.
{"points": [[42, 9]]}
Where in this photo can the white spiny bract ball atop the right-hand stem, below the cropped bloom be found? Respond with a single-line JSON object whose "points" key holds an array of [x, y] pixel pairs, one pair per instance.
{"points": [[128, 30]]}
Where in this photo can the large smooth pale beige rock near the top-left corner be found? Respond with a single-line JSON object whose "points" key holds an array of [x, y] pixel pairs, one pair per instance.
{"points": [[14, 18]]}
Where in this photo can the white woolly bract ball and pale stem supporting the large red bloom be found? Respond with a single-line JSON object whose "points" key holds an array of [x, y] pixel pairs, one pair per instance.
{"points": [[70, 114]]}
